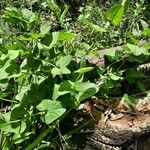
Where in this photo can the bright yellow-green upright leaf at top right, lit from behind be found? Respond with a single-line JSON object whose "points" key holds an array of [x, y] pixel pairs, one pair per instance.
{"points": [[115, 14]]}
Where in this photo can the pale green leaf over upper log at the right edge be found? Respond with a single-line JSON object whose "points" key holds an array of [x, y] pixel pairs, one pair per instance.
{"points": [[137, 50]]}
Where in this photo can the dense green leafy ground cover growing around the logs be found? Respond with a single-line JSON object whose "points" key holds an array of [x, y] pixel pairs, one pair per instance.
{"points": [[44, 67]]}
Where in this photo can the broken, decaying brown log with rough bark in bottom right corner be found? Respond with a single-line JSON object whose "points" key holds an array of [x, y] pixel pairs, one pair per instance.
{"points": [[130, 131]]}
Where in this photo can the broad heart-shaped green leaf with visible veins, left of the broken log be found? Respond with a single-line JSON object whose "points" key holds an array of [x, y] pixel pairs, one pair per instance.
{"points": [[53, 109]]}
